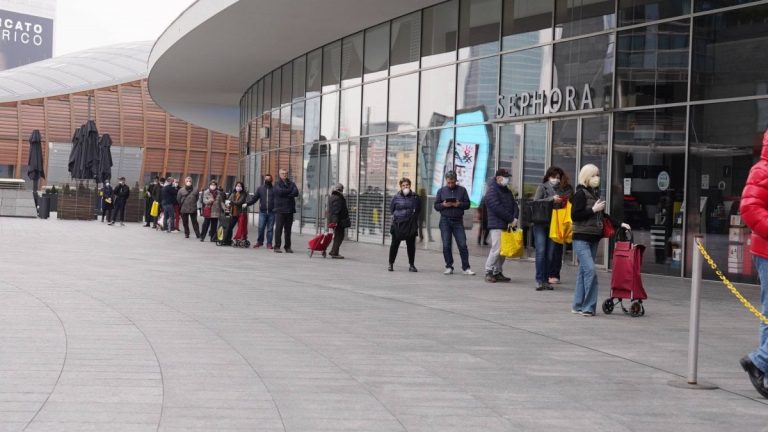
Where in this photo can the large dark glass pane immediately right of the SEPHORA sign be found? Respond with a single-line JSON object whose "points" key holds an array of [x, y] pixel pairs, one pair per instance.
{"points": [[652, 65]]}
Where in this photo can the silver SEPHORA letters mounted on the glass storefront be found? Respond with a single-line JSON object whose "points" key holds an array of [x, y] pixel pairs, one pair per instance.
{"points": [[544, 102]]}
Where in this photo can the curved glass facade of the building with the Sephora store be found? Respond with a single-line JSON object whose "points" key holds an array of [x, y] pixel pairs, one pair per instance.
{"points": [[668, 98]]}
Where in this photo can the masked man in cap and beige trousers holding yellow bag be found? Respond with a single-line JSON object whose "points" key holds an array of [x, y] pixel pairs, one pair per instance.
{"points": [[503, 213]]}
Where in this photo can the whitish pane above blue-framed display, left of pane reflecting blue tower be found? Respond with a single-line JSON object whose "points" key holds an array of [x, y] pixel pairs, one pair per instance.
{"points": [[438, 94]]}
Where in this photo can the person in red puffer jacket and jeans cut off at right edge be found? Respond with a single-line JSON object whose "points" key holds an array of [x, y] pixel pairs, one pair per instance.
{"points": [[754, 212]]}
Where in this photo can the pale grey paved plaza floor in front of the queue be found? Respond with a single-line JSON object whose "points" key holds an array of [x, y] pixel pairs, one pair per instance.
{"points": [[128, 329]]}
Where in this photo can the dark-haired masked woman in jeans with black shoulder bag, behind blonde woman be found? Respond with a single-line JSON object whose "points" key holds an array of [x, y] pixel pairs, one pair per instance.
{"points": [[553, 192]]}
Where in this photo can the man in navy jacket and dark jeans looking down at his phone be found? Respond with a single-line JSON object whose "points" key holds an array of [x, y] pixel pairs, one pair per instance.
{"points": [[451, 201]]}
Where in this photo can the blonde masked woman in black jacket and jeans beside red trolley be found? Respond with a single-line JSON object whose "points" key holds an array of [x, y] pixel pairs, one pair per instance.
{"points": [[588, 214]]}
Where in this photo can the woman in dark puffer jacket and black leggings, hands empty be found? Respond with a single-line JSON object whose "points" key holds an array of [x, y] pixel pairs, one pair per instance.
{"points": [[404, 208]]}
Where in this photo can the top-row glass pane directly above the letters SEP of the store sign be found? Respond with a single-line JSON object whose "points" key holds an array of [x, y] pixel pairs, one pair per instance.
{"points": [[527, 23]]}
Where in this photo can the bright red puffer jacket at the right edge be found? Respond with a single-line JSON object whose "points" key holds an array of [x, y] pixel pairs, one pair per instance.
{"points": [[754, 203]]}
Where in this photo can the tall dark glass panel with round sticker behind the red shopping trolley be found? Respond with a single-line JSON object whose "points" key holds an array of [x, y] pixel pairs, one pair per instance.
{"points": [[649, 145]]}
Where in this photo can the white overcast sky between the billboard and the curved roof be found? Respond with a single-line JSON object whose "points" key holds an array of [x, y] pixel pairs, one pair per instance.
{"points": [[83, 24]]}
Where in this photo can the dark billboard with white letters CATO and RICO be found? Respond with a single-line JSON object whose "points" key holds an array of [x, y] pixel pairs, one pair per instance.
{"points": [[24, 39]]}
